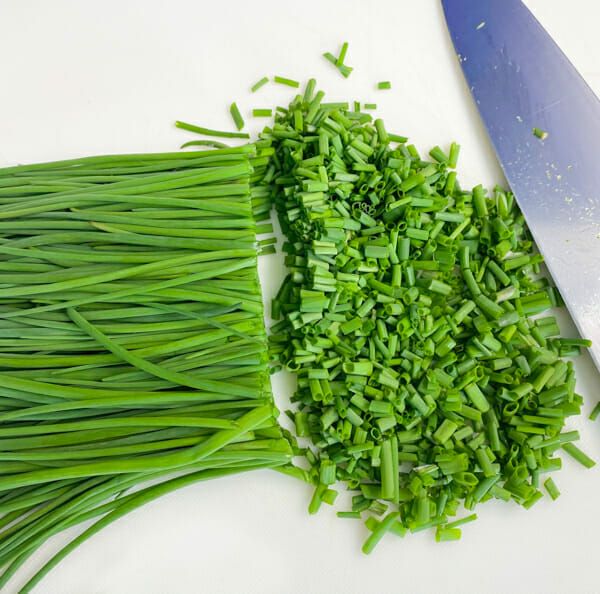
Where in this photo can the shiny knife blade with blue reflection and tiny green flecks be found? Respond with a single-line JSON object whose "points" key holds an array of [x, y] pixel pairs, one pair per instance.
{"points": [[521, 80]]}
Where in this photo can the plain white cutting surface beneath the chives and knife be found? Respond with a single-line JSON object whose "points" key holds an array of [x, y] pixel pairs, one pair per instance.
{"points": [[102, 77]]}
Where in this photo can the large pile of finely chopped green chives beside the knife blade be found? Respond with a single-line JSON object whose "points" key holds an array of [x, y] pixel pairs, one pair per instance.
{"points": [[427, 378]]}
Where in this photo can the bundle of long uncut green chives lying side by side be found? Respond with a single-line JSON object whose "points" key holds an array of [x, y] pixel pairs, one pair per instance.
{"points": [[132, 344]]}
